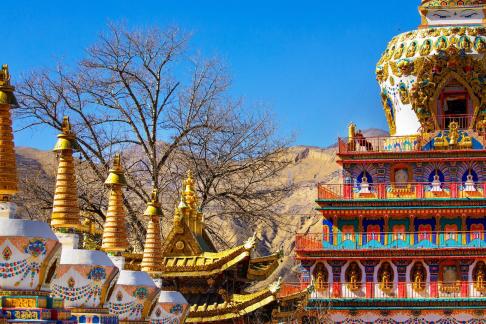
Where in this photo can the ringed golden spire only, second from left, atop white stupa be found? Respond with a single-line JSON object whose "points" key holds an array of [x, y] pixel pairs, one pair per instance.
{"points": [[65, 210]]}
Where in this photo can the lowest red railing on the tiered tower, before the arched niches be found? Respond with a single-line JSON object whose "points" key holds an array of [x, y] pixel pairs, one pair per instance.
{"points": [[400, 290]]}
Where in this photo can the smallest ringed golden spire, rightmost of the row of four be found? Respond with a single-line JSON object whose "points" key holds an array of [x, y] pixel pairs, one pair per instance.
{"points": [[152, 254]]}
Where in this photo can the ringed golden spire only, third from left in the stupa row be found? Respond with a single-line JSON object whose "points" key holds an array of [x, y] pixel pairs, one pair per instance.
{"points": [[115, 231]]}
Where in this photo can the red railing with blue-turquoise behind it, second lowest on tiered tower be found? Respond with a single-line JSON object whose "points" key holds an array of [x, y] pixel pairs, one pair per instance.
{"points": [[399, 241]]}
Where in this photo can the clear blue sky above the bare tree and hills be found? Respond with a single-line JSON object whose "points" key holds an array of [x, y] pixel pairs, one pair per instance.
{"points": [[311, 62]]}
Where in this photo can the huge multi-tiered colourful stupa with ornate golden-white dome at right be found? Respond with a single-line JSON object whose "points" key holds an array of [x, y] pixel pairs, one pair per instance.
{"points": [[403, 236]]}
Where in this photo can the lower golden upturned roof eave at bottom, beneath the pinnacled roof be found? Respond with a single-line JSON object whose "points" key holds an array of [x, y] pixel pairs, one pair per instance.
{"points": [[234, 306]]}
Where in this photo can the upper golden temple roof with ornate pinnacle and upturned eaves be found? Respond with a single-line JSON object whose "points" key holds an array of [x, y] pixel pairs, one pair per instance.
{"points": [[189, 252]]}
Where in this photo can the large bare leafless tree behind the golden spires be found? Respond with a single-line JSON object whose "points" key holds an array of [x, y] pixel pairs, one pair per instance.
{"points": [[142, 93]]}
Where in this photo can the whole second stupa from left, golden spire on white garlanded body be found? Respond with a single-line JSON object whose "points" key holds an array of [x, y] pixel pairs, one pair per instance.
{"points": [[84, 278]]}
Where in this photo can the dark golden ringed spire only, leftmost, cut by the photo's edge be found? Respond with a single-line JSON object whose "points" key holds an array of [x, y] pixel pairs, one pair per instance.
{"points": [[8, 169]]}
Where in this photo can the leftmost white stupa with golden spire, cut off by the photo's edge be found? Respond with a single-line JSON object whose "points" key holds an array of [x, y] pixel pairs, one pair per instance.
{"points": [[29, 250]]}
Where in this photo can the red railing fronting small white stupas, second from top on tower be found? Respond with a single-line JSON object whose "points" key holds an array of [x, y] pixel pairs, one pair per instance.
{"points": [[410, 190]]}
